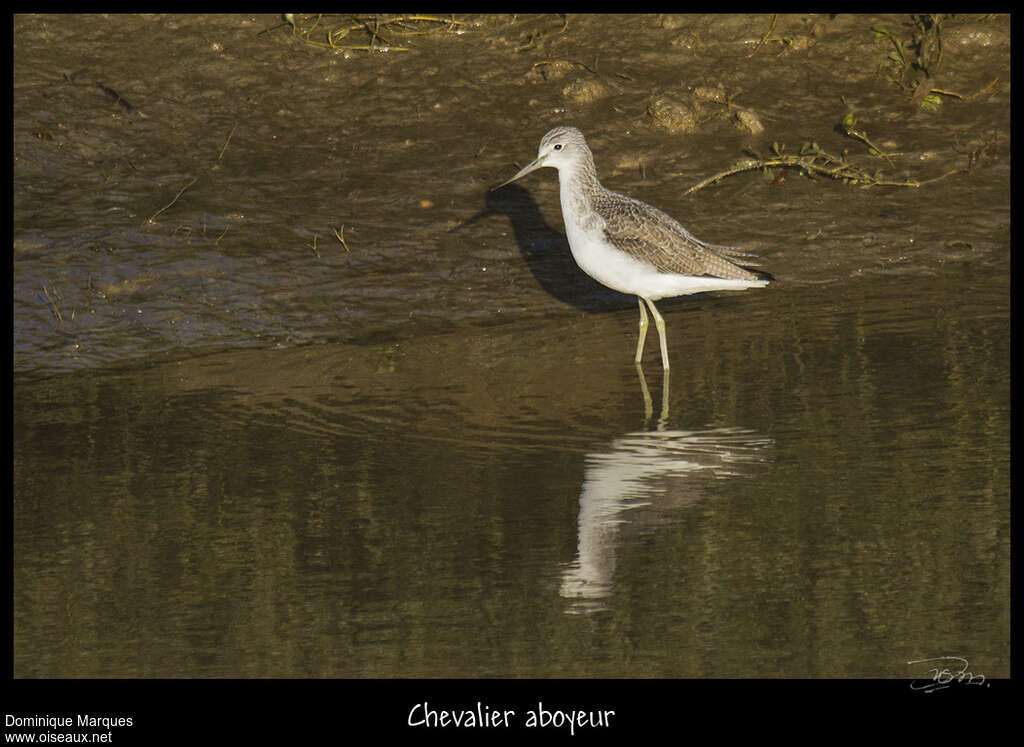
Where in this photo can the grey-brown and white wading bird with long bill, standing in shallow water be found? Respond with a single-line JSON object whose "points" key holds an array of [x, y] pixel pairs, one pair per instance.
{"points": [[630, 246]]}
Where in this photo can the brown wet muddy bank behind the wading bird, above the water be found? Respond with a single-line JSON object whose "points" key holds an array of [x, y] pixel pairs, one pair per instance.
{"points": [[191, 184]]}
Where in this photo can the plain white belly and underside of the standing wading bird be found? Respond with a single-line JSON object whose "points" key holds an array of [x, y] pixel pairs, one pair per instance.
{"points": [[614, 268]]}
